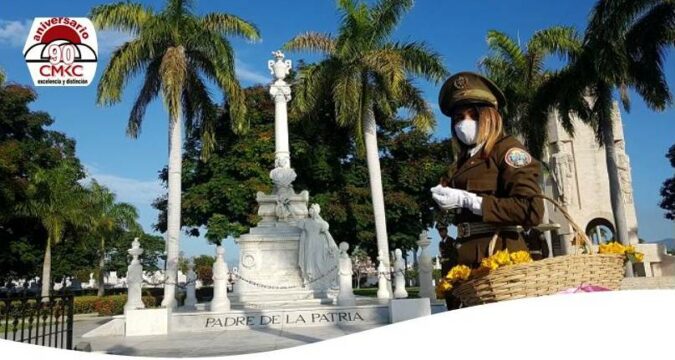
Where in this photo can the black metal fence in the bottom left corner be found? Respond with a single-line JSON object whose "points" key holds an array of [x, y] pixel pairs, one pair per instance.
{"points": [[46, 321]]}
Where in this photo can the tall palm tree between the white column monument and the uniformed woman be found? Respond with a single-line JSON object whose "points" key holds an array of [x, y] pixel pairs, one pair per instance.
{"points": [[365, 73]]}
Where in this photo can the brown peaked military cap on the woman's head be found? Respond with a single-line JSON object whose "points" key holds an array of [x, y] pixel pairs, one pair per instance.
{"points": [[467, 88]]}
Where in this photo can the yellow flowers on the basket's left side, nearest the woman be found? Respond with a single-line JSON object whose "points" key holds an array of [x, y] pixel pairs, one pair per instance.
{"points": [[461, 273]]}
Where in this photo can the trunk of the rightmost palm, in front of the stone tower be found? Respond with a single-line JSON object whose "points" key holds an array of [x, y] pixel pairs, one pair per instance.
{"points": [[615, 193]]}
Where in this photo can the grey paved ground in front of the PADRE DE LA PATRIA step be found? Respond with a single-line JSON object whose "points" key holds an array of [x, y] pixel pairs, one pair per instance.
{"points": [[229, 342]]}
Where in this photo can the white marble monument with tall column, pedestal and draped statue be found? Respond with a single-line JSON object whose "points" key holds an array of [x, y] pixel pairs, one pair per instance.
{"points": [[288, 256]]}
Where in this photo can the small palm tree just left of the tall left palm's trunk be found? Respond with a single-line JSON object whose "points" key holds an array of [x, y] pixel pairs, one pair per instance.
{"points": [[108, 217]]}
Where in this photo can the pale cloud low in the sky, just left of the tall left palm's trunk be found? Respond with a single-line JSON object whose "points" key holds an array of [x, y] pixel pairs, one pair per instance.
{"points": [[134, 191]]}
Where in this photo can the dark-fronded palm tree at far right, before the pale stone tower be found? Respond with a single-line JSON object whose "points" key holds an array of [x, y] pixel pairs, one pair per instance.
{"points": [[623, 47]]}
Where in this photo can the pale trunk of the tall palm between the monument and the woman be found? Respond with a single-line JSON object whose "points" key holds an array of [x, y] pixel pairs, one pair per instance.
{"points": [[373, 160]]}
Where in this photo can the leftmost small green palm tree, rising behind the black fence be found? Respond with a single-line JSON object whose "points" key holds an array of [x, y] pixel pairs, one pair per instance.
{"points": [[55, 198]]}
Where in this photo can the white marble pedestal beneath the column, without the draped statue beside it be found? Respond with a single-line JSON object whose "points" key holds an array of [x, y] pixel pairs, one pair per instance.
{"points": [[268, 271]]}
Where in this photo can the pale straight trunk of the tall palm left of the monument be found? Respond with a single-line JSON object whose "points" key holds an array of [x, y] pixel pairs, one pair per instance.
{"points": [[173, 212]]}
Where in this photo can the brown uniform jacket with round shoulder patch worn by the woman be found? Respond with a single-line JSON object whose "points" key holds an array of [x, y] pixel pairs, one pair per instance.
{"points": [[506, 180]]}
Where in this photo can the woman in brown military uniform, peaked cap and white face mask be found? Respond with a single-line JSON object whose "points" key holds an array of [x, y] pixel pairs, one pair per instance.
{"points": [[490, 188]]}
